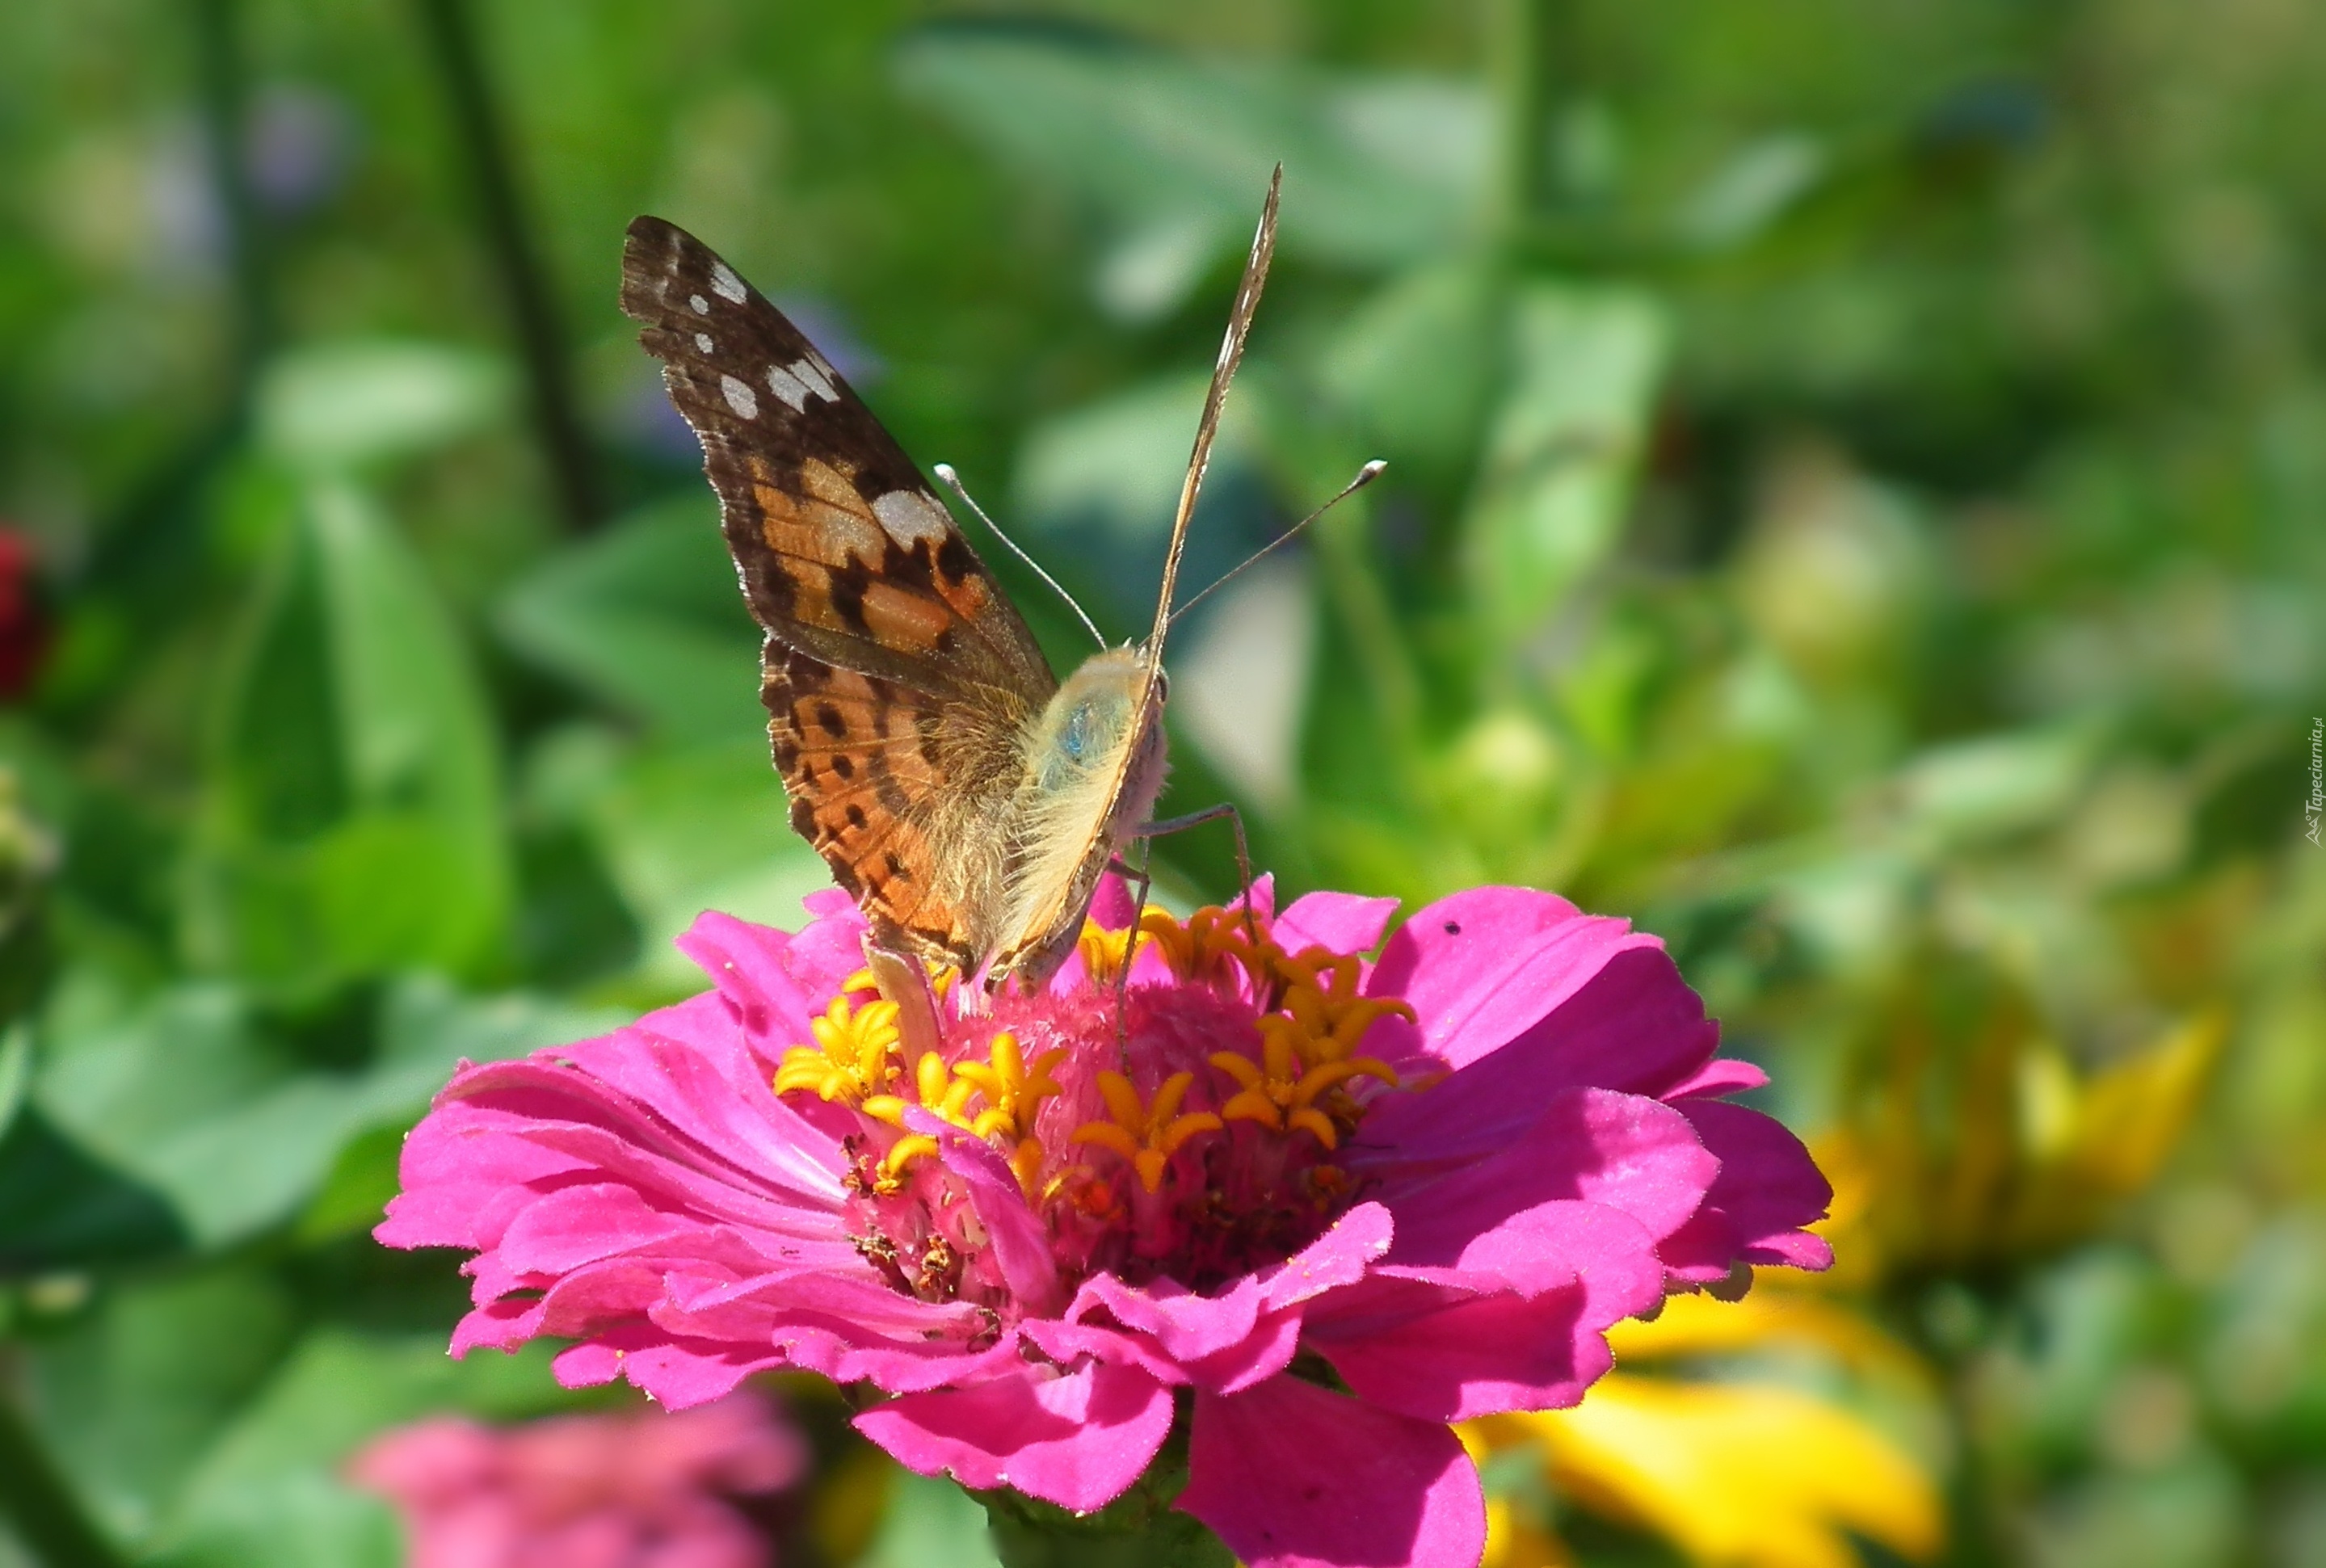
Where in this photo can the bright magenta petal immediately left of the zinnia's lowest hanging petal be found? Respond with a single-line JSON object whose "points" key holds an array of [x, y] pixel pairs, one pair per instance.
{"points": [[1076, 1441]]}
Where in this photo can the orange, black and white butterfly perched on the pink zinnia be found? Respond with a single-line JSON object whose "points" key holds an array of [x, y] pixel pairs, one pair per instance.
{"points": [[964, 794]]}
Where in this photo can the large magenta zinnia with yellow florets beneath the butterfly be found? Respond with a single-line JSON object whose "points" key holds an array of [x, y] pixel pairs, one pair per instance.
{"points": [[1327, 1204]]}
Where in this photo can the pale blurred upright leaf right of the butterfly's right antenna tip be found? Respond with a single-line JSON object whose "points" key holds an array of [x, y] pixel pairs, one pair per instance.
{"points": [[1564, 448]]}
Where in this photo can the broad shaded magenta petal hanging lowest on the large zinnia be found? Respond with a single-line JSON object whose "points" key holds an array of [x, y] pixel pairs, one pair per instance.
{"points": [[1292, 1476]]}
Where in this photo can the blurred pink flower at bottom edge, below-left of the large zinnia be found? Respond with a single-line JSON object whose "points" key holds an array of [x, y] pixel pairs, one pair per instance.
{"points": [[643, 1490]]}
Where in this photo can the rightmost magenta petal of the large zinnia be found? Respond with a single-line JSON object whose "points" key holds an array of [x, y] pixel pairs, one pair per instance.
{"points": [[1767, 1192]]}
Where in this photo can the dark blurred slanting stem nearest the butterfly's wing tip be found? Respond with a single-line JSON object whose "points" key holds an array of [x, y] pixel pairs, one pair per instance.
{"points": [[525, 280]]}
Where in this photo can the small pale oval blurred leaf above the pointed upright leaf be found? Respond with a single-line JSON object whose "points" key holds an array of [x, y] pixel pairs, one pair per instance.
{"points": [[348, 404]]}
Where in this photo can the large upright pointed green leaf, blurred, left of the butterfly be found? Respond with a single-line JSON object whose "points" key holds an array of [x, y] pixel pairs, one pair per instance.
{"points": [[352, 813]]}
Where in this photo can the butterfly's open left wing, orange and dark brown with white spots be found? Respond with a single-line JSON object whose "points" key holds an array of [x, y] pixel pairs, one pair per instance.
{"points": [[897, 676]]}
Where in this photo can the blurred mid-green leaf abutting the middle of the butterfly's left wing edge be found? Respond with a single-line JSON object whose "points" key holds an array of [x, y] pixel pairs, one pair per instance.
{"points": [[648, 620]]}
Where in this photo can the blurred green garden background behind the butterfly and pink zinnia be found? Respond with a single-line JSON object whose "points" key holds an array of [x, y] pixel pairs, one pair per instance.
{"points": [[1857, 506]]}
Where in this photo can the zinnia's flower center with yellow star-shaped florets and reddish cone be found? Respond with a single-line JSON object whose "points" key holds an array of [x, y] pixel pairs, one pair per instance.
{"points": [[1173, 1127]]}
